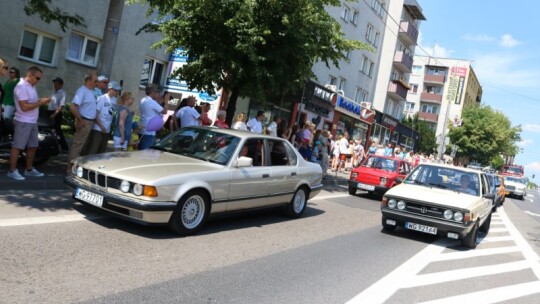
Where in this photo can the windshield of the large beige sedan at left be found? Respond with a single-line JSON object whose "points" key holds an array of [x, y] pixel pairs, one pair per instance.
{"points": [[203, 144]]}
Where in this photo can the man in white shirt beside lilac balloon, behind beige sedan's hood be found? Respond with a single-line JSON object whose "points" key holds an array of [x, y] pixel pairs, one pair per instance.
{"points": [[149, 108]]}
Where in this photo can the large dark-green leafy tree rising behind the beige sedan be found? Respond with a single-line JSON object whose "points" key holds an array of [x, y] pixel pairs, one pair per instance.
{"points": [[249, 48]]}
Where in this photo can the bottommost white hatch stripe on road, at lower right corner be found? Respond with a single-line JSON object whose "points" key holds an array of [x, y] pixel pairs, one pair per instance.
{"points": [[495, 295]]}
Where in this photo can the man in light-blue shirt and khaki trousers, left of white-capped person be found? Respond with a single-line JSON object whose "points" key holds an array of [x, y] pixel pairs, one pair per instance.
{"points": [[83, 108]]}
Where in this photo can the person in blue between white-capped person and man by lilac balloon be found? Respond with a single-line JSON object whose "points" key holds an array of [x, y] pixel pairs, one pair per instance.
{"points": [[123, 122]]}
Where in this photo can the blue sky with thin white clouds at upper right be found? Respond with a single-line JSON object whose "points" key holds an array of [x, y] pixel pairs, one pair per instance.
{"points": [[503, 41]]}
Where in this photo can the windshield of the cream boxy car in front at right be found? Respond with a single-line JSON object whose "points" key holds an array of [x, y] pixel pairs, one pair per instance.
{"points": [[445, 178]]}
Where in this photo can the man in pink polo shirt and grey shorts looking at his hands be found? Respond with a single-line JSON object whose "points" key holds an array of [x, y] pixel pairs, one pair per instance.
{"points": [[27, 105]]}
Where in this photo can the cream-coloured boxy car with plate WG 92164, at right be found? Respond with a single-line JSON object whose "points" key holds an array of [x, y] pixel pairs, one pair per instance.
{"points": [[440, 200]]}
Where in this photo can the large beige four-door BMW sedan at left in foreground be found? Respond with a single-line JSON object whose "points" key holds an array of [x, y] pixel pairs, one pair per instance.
{"points": [[195, 173]]}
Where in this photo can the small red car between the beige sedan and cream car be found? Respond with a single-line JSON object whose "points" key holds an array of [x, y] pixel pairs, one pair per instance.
{"points": [[378, 173]]}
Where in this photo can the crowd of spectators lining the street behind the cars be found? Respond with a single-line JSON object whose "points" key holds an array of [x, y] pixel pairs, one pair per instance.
{"points": [[100, 113]]}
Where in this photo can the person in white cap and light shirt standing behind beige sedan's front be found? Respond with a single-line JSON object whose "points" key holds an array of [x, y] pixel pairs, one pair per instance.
{"points": [[99, 136]]}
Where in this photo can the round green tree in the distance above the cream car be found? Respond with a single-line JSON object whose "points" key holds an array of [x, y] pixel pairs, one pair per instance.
{"points": [[483, 135]]}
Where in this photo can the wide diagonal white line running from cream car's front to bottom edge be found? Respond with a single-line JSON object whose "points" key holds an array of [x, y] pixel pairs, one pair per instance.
{"points": [[383, 289]]}
